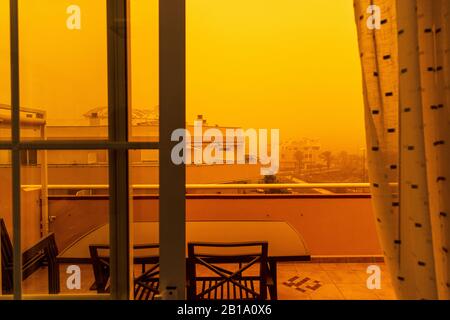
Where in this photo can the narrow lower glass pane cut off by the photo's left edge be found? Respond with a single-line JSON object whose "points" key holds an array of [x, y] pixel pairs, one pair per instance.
{"points": [[6, 222]]}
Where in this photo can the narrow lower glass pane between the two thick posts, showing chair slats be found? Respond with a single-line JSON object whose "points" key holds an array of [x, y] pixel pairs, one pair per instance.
{"points": [[144, 176]]}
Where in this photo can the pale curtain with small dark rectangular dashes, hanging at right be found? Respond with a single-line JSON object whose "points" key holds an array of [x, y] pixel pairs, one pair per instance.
{"points": [[404, 48]]}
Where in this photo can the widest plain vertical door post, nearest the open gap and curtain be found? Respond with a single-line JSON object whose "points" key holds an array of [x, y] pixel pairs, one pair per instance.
{"points": [[172, 115]]}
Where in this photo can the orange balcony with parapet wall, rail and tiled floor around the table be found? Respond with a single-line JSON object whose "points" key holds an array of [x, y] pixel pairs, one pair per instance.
{"points": [[338, 228]]}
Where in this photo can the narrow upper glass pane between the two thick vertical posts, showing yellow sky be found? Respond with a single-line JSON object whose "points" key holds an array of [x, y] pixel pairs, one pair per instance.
{"points": [[144, 57]]}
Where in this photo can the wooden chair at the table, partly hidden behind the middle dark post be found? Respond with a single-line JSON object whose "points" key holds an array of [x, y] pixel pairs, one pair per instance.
{"points": [[145, 285]]}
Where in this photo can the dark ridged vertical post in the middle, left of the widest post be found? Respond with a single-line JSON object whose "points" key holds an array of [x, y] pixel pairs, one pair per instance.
{"points": [[117, 11]]}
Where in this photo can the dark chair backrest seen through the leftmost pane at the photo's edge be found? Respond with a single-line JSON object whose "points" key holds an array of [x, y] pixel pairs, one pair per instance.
{"points": [[7, 259]]}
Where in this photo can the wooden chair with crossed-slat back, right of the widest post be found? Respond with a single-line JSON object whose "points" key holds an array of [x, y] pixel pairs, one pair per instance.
{"points": [[230, 277]]}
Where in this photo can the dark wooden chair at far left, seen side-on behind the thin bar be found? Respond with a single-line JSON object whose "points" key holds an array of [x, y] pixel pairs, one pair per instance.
{"points": [[42, 254]]}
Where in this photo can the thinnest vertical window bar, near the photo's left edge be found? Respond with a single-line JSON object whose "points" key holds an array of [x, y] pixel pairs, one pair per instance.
{"points": [[15, 127]]}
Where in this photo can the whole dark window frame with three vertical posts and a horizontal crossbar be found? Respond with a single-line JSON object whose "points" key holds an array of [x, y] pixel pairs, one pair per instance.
{"points": [[172, 177]]}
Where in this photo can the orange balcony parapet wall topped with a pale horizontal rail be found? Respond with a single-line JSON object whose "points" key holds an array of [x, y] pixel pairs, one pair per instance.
{"points": [[333, 224]]}
